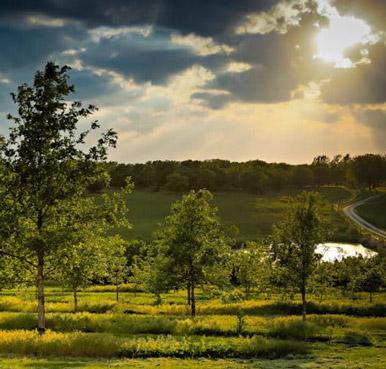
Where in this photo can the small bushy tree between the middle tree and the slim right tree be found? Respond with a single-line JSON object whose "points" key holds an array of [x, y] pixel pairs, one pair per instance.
{"points": [[251, 266]]}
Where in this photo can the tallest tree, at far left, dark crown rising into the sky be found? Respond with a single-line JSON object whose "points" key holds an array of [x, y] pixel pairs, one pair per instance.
{"points": [[46, 170]]}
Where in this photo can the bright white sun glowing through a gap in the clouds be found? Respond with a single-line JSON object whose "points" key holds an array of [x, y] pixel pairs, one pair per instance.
{"points": [[342, 33]]}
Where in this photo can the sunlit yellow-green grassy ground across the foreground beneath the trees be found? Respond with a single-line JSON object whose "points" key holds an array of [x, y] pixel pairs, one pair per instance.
{"points": [[136, 333]]}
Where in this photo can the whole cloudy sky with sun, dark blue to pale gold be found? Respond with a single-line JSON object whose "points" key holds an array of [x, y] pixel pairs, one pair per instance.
{"points": [[275, 80]]}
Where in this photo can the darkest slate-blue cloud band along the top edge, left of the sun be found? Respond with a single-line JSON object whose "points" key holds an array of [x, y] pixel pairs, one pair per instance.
{"points": [[204, 17]]}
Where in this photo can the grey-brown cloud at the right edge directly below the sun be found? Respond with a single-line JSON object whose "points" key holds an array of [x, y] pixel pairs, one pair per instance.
{"points": [[365, 84]]}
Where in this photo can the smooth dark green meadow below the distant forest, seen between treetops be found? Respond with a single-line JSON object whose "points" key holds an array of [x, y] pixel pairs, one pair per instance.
{"points": [[253, 214]]}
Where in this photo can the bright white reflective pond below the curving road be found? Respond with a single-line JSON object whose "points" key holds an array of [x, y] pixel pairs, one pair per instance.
{"points": [[331, 251]]}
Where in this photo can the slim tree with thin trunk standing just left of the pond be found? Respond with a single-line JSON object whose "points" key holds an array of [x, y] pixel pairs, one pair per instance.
{"points": [[294, 241]]}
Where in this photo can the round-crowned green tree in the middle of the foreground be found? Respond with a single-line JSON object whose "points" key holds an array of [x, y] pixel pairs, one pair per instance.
{"points": [[191, 243]]}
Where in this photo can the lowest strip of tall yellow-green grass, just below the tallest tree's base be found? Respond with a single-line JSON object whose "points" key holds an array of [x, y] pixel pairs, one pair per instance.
{"points": [[29, 343]]}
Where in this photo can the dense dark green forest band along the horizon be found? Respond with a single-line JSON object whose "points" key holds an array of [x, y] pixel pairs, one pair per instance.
{"points": [[256, 176]]}
